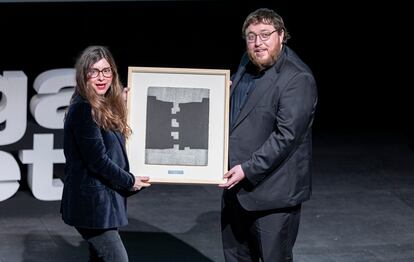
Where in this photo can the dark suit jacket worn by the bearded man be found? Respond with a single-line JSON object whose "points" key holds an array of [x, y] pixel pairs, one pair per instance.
{"points": [[271, 136]]}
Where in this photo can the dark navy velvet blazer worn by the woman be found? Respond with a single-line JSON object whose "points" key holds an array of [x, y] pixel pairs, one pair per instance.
{"points": [[96, 172]]}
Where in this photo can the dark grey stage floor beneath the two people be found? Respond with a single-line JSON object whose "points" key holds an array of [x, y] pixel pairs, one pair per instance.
{"points": [[362, 209]]}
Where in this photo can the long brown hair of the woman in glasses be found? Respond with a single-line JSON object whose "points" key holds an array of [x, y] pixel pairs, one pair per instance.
{"points": [[108, 111]]}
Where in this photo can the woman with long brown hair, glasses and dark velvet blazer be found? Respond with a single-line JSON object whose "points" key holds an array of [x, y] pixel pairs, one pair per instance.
{"points": [[97, 180]]}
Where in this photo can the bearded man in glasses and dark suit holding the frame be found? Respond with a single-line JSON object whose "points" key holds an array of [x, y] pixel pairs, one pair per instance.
{"points": [[273, 100]]}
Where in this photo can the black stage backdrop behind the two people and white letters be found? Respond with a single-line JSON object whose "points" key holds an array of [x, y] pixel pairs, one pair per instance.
{"points": [[355, 52]]}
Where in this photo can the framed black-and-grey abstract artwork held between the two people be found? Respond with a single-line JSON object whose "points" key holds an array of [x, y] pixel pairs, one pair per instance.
{"points": [[179, 120]]}
